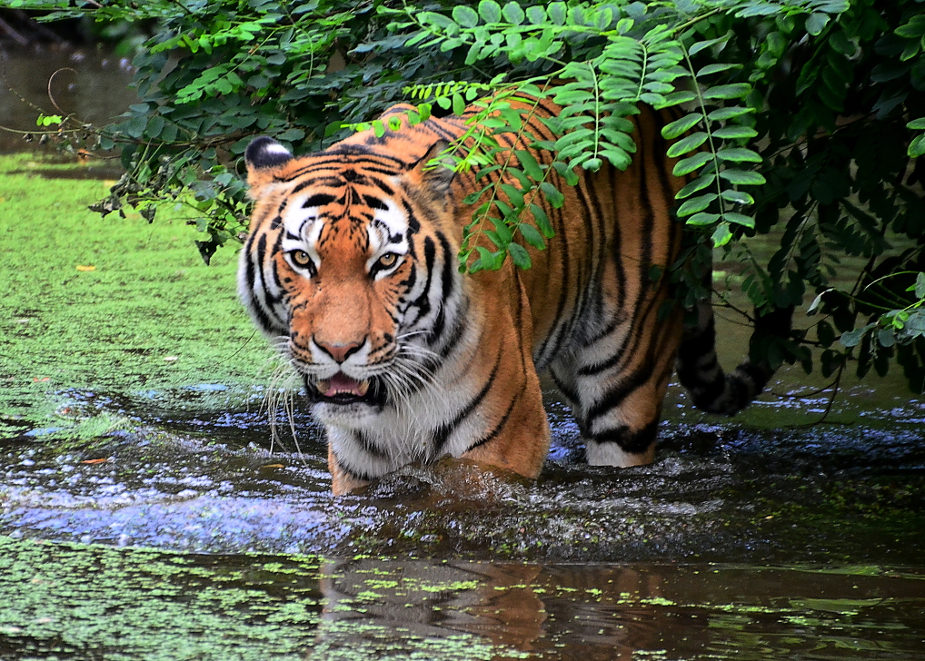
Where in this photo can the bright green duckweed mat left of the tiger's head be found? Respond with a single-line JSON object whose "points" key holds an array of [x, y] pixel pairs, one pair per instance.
{"points": [[111, 305]]}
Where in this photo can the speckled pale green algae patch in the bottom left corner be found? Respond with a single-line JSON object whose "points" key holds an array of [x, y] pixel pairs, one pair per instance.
{"points": [[98, 602]]}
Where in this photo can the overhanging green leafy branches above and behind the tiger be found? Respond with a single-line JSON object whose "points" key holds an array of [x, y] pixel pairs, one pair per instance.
{"points": [[799, 119]]}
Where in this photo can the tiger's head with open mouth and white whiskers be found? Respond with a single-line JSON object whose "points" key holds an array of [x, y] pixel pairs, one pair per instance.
{"points": [[344, 269]]}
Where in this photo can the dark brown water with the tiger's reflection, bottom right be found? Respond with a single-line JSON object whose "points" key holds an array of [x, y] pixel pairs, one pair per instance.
{"points": [[607, 613]]}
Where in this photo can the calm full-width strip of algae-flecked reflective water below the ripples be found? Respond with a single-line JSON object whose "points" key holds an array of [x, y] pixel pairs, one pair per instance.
{"points": [[78, 602]]}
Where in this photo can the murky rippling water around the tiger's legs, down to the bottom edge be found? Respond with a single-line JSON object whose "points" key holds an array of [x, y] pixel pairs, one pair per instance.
{"points": [[182, 531]]}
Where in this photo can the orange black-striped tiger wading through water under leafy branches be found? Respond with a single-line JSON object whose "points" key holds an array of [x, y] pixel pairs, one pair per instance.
{"points": [[350, 266]]}
